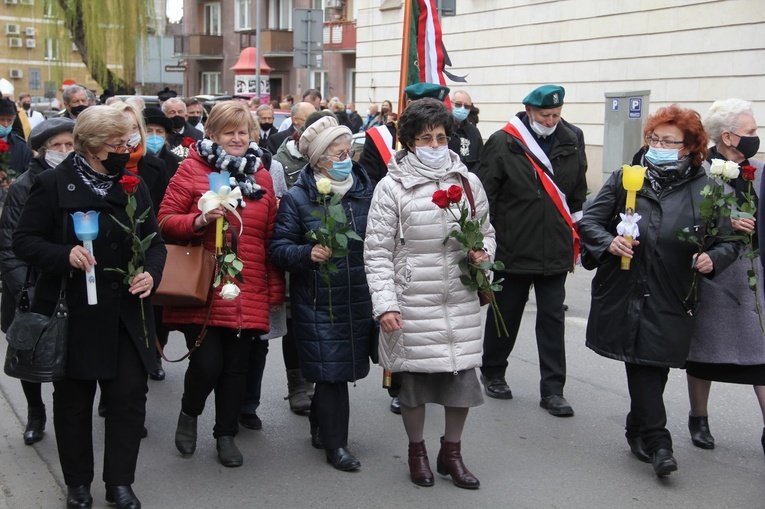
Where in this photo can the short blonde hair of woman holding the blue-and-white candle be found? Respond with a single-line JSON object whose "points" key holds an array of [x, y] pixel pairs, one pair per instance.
{"points": [[96, 125]]}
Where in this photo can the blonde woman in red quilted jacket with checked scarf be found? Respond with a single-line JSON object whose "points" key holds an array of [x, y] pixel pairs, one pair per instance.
{"points": [[220, 363]]}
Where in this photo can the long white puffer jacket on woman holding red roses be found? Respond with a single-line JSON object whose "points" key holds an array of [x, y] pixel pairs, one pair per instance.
{"points": [[410, 270]]}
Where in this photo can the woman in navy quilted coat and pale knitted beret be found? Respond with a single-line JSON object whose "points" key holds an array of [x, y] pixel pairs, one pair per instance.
{"points": [[334, 337]]}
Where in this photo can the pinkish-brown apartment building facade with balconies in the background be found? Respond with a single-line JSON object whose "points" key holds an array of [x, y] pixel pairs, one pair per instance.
{"points": [[216, 32]]}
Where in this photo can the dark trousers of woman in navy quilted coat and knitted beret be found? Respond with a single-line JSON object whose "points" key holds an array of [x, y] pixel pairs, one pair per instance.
{"points": [[331, 411]]}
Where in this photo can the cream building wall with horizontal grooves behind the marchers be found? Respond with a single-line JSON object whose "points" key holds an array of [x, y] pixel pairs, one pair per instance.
{"points": [[690, 52]]}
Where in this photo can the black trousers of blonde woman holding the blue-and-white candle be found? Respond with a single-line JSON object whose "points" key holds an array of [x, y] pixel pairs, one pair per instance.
{"points": [[73, 420]]}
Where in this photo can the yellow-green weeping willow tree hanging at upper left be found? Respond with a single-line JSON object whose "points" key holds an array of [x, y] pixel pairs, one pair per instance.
{"points": [[106, 33]]}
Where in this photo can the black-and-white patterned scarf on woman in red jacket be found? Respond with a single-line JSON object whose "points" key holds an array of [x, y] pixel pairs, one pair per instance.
{"points": [[242, 169]]}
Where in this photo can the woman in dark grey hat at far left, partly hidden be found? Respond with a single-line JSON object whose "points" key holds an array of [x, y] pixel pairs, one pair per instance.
{"points": [[53, 141]]}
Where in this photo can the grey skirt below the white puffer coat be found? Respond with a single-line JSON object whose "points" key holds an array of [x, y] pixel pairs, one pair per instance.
{"points": [[447, 389]]}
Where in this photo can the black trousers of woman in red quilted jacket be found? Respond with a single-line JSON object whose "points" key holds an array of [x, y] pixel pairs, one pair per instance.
{"points": [[219, 364]]}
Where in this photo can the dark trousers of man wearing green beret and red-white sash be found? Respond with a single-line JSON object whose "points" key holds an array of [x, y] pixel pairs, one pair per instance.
{"points": [[550, 328]]}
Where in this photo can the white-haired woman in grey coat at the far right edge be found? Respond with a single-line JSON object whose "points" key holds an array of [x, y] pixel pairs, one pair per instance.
{"points": [[728, 344]]}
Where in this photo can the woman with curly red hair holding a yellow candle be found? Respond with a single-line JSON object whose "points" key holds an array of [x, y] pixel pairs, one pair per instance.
{"points": [[641, 316]]}
